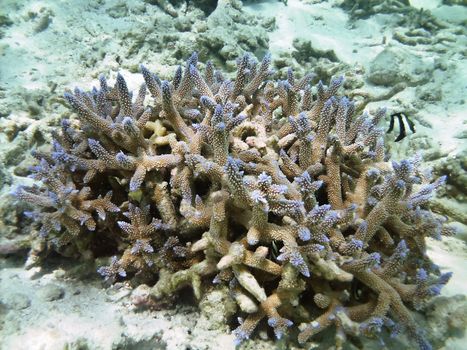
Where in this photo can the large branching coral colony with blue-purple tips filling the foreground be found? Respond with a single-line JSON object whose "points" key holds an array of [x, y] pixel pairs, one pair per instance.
{"points": [[272, 187]]}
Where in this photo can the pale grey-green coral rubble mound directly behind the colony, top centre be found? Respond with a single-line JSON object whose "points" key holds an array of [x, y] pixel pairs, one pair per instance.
{"points": [[217, 30]]}
